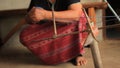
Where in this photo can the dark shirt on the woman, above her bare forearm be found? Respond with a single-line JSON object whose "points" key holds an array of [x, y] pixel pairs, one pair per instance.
{"points": [[59, 4]]}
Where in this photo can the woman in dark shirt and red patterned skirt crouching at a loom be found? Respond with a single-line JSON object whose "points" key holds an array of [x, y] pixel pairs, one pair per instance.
{"points": [[67, 13]]}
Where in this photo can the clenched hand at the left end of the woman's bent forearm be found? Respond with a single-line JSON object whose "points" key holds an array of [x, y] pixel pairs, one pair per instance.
{"points": [[35, 15]]}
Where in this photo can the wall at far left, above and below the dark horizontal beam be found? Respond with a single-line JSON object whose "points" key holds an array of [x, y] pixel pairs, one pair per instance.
{"points": [[7, 23]]}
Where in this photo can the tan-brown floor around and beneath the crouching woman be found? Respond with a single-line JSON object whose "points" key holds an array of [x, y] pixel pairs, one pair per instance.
{"points": [[14, 55]]}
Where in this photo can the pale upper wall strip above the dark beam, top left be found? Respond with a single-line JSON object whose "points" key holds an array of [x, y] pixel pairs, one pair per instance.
{"points": [[13, 4]]}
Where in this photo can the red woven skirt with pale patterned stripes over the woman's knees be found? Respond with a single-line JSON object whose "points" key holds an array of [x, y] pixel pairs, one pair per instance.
{"points": [[58, 50]]}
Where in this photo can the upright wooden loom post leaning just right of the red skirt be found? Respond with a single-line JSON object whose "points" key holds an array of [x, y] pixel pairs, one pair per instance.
{"points": [[94, 46]]}
